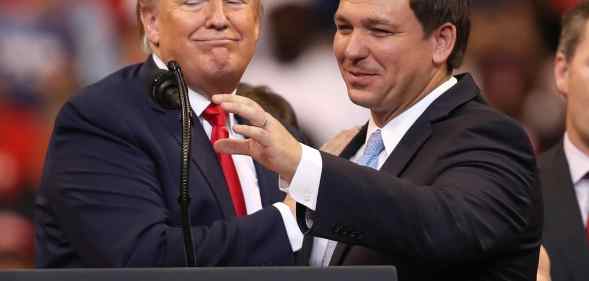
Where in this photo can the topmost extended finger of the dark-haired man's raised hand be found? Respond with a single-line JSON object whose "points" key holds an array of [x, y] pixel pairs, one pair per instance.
{"points": [[243, 107]]}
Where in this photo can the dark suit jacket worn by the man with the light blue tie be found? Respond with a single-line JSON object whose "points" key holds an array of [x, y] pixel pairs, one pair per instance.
{"points": [[458, 199]]}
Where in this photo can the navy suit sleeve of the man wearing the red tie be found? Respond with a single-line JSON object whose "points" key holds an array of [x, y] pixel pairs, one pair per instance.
{"points": [[107, 198]]}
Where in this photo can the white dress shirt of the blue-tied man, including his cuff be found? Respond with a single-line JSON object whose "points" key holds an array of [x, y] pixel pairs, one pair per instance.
{"points": [[304, 187]]}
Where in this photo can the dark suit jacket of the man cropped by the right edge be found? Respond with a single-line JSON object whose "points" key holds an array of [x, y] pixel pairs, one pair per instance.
{"points": [[565, 224]]}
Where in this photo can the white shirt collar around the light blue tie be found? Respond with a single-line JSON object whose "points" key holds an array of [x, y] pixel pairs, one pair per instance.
{"points": [[394, 130]]}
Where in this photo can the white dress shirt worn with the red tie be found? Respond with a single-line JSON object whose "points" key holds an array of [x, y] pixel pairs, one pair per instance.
{"points": [[244, 165]]}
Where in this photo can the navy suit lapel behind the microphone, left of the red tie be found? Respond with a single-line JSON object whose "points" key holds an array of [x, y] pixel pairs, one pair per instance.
{"points": [[202, 153]]}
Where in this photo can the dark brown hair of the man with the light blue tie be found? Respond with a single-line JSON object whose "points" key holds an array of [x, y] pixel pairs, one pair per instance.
{"points": [[434, 13]]}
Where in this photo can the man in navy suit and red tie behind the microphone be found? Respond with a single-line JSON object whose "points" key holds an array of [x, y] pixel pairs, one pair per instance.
{"points": [[109, 192]]}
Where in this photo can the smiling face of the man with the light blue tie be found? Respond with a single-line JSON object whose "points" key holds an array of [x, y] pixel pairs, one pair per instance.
{"points": [[383, 54]]}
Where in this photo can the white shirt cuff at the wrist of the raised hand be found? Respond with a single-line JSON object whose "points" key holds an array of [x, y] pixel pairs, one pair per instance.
{"points": [[304, 187]]}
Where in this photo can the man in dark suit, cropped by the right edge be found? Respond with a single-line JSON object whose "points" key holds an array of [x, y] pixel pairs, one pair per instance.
{"points": [[564, 169]]}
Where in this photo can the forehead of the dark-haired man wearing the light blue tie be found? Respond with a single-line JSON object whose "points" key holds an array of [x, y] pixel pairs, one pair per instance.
{"points": [[381, 10]]}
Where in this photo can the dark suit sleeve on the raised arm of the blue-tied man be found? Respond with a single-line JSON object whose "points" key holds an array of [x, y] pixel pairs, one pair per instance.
{"points": [[483, 201]]}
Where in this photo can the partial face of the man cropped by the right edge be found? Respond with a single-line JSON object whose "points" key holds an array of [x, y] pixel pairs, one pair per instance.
{"points": [[572, 79]]}
